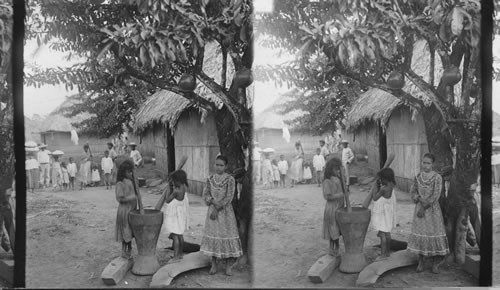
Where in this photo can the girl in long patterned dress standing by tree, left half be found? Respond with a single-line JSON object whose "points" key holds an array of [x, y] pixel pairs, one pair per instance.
{"points": [[220, 236]]}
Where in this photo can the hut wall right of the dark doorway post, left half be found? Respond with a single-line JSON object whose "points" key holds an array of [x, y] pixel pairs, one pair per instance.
{"points": [[199, 143]]}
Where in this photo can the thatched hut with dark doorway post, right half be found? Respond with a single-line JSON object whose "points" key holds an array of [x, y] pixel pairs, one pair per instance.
{"points": [[379, 124]]}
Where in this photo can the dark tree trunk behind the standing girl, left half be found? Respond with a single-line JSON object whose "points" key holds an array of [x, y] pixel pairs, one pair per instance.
{"points": [[232, 142]]}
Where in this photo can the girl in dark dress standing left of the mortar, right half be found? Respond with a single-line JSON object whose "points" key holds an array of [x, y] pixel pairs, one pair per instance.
{"points": [[334, 195]]}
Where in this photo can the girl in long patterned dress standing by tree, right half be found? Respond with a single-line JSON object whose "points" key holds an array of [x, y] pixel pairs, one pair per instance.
{"points": [[428, 236]]}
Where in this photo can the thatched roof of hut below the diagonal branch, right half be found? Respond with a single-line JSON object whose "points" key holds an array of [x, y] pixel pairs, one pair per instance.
{"points": [[373, 105]]}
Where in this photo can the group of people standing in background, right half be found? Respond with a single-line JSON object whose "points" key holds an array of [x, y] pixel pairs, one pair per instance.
{"points": [[272, 173]]}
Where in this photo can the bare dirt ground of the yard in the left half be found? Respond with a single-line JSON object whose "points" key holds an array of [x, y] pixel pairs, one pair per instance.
{"points": [[70, 240]]}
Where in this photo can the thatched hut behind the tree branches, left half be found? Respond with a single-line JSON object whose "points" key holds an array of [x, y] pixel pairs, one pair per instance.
{"points": [[172, 126]]}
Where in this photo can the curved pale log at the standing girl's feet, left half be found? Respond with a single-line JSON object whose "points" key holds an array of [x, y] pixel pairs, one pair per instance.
{"points": [[164, 276]]}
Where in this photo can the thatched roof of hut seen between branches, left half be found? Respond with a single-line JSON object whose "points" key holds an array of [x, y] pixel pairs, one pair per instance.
{"points": [[166, 107]]}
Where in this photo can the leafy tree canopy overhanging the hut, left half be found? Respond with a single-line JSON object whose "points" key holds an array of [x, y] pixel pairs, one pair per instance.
{"points": [[132, 48]]}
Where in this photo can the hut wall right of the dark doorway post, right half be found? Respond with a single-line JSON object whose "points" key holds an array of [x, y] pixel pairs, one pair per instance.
{"points": [[407, 140]]}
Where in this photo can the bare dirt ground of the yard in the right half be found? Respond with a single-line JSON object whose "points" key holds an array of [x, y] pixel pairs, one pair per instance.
{"points": [[287, 242]]}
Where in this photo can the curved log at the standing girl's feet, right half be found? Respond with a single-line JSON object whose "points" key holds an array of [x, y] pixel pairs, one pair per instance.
{"points": [[372, 272]]}
